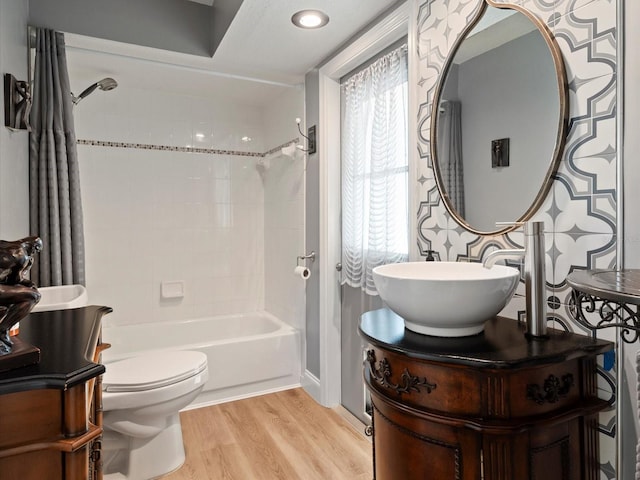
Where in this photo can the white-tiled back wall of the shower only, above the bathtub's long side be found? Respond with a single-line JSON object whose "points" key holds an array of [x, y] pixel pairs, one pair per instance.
{"points": [[154, 215]]}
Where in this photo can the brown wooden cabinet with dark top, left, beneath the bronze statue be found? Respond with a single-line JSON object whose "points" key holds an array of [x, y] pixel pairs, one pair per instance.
{"points": [[50, 412]]}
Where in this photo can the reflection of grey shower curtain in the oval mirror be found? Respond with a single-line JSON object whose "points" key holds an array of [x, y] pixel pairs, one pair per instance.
{"points": [[450, 152]]}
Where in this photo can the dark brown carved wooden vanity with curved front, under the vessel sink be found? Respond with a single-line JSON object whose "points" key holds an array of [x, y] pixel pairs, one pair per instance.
{"points": [[494, 406]]}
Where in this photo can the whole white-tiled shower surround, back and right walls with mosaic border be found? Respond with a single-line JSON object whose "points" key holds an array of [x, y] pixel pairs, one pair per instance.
{"points": [[172, 193]]}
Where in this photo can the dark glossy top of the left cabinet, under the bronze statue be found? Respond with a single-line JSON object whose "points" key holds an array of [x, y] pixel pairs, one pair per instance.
{"points": [[67, 341]]}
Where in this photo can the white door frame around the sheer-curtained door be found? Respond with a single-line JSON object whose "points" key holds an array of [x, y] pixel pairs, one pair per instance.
{"points": [[384, 33]]}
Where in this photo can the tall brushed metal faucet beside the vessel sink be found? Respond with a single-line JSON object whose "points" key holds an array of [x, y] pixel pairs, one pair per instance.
{"points": [[534, 274]]}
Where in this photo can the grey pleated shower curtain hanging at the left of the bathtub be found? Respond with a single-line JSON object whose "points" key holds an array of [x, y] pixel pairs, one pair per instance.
{"points": [[55, 207]]}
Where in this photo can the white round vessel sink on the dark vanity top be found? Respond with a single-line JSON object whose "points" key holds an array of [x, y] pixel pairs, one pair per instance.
{"points": [[445, 299]]}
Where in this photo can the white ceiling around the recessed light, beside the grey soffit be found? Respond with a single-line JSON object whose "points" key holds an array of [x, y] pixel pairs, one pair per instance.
{"points": [[262, 51]]}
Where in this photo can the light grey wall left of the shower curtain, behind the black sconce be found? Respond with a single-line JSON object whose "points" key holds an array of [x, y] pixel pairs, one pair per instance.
{"points": [[14, 156]]}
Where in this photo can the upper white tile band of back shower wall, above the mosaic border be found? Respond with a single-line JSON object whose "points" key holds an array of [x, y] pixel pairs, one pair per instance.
{"points": [[137, 115]]}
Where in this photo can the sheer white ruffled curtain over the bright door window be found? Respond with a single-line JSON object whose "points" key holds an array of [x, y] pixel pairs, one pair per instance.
{"points": [[375, 222]]}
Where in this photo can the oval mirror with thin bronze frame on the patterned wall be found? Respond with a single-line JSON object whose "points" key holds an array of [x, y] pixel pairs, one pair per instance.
{"points": [[499, 120]]}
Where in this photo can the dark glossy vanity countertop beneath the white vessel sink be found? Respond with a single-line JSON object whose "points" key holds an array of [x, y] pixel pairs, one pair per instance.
{"points": [[503, 343]]}
